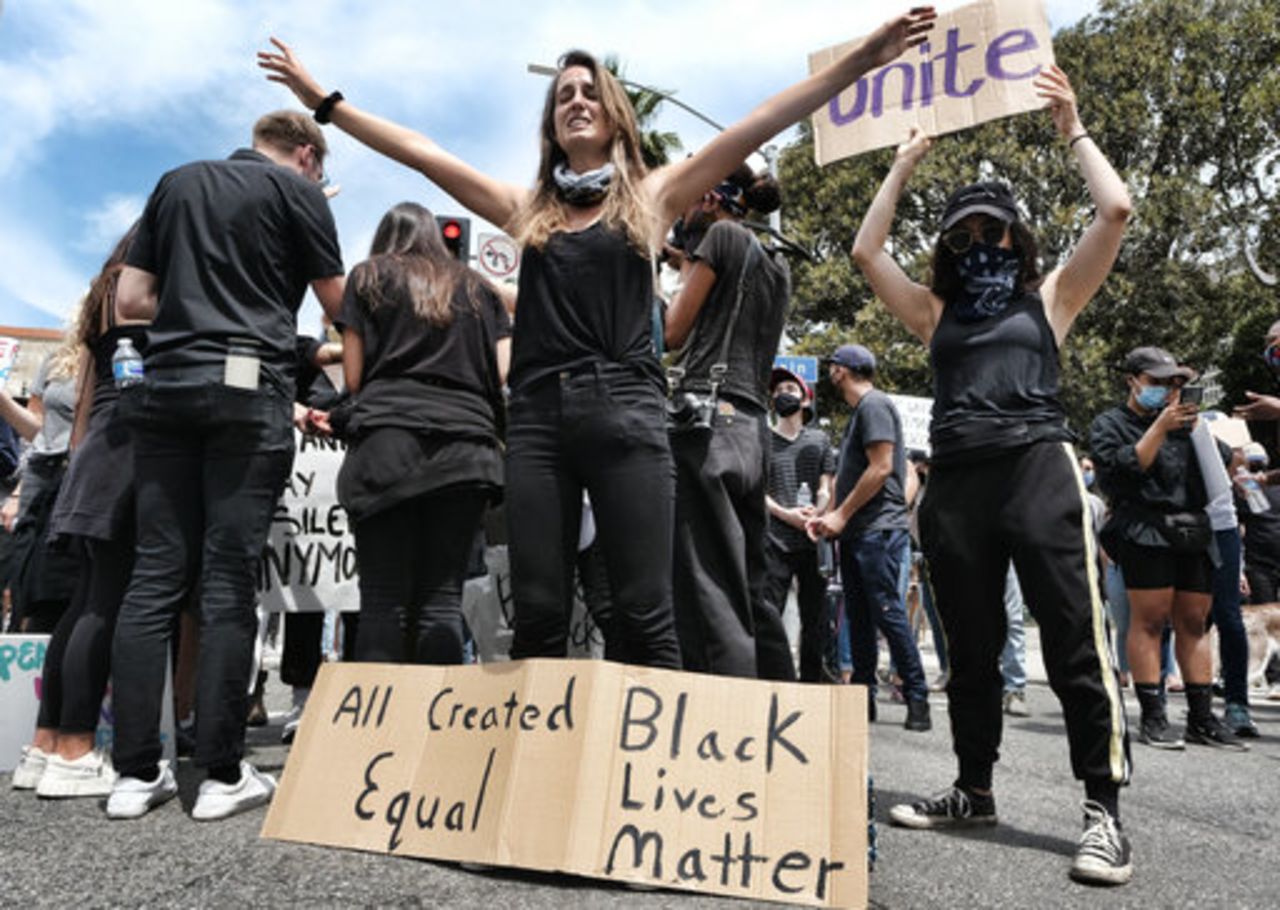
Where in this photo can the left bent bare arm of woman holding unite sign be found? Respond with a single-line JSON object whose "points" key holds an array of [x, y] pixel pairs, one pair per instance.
{"points": [[915, 305]]}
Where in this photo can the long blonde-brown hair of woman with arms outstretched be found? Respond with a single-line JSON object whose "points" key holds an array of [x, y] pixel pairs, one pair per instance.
{"points": [[625, 208]]}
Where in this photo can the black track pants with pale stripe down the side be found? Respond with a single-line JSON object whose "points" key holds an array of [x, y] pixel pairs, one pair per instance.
{"points": [[1027, 505]]}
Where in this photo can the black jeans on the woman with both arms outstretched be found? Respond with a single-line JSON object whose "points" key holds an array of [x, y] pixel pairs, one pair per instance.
{"points": [[604, 431]]}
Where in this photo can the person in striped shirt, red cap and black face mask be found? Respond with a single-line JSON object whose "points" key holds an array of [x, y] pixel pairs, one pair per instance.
{"points": [[799, 456]]}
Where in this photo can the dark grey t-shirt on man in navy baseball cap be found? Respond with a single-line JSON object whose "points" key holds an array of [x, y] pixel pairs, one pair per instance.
{"points": [[875, 420]]}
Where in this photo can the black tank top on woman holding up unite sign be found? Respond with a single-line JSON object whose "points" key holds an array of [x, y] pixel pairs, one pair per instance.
{"points": [[995, 383]]}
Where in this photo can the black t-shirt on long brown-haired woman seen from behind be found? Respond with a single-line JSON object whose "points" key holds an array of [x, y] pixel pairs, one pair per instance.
{"points": [[408, 360]]}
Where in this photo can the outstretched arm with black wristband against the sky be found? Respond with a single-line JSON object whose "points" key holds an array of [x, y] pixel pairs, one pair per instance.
{"points": [[488, 198]]}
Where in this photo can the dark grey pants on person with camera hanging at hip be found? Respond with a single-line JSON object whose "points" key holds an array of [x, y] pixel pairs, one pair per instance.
{"points": [[726, 624]]}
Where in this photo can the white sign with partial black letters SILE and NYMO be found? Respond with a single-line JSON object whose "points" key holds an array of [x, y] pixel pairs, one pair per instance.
{"points": [[310, 557]]}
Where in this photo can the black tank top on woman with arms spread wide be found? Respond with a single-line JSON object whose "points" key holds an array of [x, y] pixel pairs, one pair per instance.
{"points": [[586, 300]]}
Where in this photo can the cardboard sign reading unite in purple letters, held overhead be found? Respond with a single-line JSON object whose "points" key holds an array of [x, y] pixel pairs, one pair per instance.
{"points": [[977, 66]]}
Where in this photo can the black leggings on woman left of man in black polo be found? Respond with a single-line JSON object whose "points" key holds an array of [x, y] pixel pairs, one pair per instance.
{"points": [[79, 660]]}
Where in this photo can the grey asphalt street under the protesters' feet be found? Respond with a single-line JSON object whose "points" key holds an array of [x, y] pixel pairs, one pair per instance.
{"points": [[1203, 824]]}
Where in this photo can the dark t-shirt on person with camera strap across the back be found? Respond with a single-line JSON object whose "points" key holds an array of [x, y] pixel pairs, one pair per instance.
{"points": [[766, 294]]}
